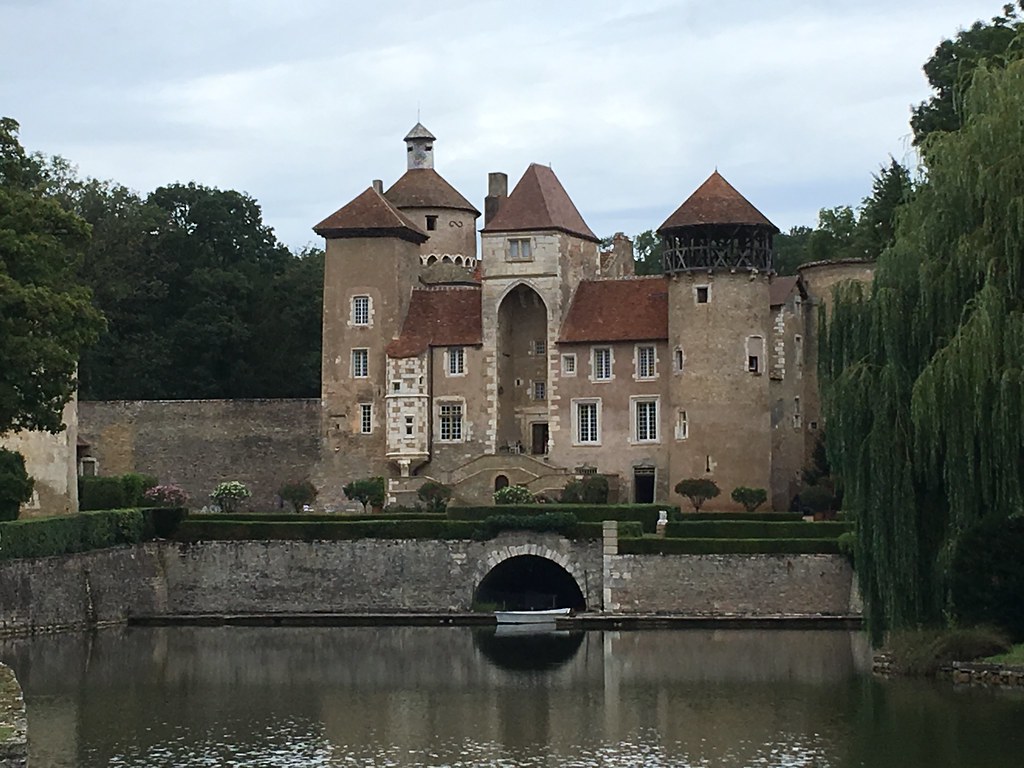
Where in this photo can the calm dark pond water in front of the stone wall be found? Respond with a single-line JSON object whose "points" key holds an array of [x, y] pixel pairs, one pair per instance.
{"points": [[462, 698]]}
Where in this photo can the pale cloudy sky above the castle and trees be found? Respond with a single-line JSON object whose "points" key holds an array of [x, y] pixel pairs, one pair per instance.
{"points": [[303, 104]]}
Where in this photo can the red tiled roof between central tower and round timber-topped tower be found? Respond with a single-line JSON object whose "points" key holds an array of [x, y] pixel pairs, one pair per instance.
{"points": [[628, 310]]}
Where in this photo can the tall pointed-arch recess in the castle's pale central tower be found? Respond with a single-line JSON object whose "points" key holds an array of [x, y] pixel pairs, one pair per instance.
{"points": [[523, 369]]}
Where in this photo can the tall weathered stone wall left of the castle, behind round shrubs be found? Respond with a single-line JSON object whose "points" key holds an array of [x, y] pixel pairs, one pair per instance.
{"points": [[199, 444]]}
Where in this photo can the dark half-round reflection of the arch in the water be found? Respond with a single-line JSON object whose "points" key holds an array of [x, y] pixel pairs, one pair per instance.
{"points": [[528, 648]]}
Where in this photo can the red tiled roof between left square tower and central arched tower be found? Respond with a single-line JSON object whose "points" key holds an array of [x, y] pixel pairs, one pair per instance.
{"points": [[440, 317]]}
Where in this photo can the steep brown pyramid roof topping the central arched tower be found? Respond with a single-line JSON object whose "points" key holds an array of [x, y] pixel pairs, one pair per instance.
{"points": [[540, 202]]}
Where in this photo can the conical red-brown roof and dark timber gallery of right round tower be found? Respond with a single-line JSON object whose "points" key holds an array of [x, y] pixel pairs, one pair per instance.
{"points": [[717, 229]]}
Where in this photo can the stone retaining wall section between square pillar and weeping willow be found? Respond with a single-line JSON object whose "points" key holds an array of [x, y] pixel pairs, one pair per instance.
{"points": [[745, 585]]}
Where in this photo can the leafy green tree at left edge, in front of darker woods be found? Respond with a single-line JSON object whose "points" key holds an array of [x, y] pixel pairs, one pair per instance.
{"points": [[47, 319]]}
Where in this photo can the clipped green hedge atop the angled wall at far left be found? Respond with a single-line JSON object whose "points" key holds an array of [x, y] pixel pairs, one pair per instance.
{"points": [[45, 537]]}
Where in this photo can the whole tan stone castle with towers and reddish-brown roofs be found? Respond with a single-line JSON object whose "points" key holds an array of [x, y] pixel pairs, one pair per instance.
{"points": [[545, 358]]}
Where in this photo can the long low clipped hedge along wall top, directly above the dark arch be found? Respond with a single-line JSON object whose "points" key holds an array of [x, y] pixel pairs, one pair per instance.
{"points": [[201, 529]]}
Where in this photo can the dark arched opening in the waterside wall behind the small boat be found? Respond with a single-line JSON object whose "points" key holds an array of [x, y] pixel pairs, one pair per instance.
{"points": [[530, 583]]}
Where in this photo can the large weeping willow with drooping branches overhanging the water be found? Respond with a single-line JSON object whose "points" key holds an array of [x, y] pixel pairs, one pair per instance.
{"points": [[922, 371]]}
